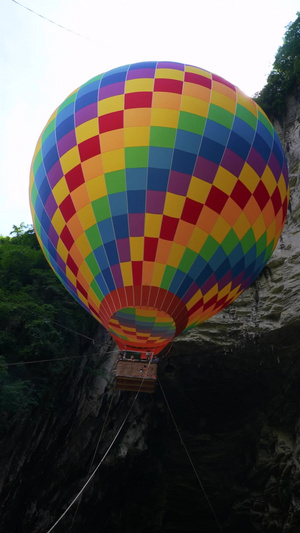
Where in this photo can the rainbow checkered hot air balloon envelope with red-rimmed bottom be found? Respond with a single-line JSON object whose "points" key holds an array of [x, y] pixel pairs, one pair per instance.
{"points": [[158, 194]]}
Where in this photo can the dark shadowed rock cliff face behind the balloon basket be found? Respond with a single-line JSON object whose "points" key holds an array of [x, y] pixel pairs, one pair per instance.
{"points": [[216, 448]]}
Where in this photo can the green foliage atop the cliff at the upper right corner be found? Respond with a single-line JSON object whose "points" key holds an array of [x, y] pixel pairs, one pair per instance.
{"points": [[284, 78]]}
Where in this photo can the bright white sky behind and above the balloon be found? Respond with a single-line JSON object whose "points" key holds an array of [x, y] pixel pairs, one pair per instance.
{"points": [[42, 63]]}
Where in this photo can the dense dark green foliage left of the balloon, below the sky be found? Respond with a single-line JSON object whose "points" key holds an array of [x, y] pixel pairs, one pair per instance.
{"points": [[39, 321]]}
